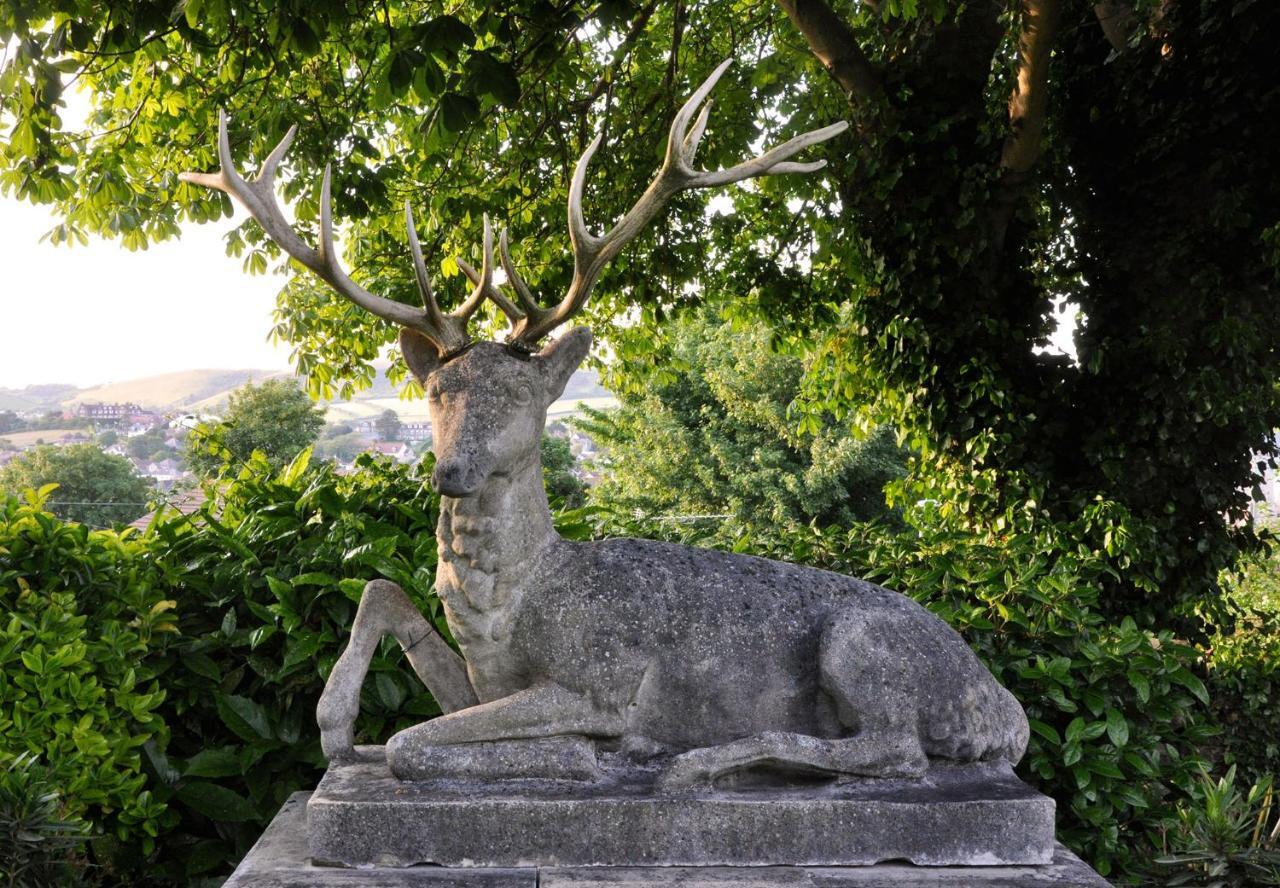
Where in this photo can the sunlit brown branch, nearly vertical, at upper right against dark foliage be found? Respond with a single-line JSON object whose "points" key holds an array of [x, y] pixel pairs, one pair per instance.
{"points": [[1030, 100]]}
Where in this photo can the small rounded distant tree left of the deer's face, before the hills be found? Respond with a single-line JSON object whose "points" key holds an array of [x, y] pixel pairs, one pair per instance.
{"points": [[275, 418]]}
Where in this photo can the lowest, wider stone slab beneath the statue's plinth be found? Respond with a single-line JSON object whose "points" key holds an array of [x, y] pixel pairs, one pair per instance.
{"points": [[281, 860]]}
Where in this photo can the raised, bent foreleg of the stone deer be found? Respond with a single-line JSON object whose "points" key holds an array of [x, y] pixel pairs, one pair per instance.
{"points": [[385, 610]]}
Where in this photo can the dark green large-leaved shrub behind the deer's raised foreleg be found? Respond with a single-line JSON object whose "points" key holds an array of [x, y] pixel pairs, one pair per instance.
{"points": [[269, 573]]}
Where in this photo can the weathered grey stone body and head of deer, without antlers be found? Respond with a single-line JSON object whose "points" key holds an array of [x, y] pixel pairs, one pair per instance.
{"points": [[707, 662]]}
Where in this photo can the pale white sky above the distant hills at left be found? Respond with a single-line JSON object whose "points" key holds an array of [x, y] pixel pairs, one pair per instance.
{"points": [[100, 314]]}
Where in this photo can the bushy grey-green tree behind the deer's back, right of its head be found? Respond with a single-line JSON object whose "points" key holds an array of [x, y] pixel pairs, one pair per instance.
{"points": [[712, 441]]}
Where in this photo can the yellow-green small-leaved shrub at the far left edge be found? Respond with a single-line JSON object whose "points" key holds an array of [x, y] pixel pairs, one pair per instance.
{"points": [[81, 620]]}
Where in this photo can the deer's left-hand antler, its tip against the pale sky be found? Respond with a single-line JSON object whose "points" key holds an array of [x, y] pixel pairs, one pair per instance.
{"points": [[447, 332]]}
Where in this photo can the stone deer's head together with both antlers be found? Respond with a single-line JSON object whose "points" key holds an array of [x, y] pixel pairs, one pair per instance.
{"points": [[488, 401]]}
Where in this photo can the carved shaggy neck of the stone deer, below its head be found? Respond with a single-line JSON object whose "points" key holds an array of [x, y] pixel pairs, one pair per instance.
{"points": [[488, 543]]}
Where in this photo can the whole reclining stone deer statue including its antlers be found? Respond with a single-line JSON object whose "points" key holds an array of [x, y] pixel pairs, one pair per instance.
{"points": [[702, 662]]}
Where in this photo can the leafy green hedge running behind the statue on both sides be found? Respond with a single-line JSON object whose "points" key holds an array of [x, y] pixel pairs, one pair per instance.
{"points": [[267, 576]]}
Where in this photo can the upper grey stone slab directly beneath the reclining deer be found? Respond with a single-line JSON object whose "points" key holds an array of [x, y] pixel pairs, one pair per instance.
{"points": [[976, 814]]}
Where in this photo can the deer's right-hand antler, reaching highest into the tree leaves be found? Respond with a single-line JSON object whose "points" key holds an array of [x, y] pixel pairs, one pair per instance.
{"points": [[592, 253]]}
